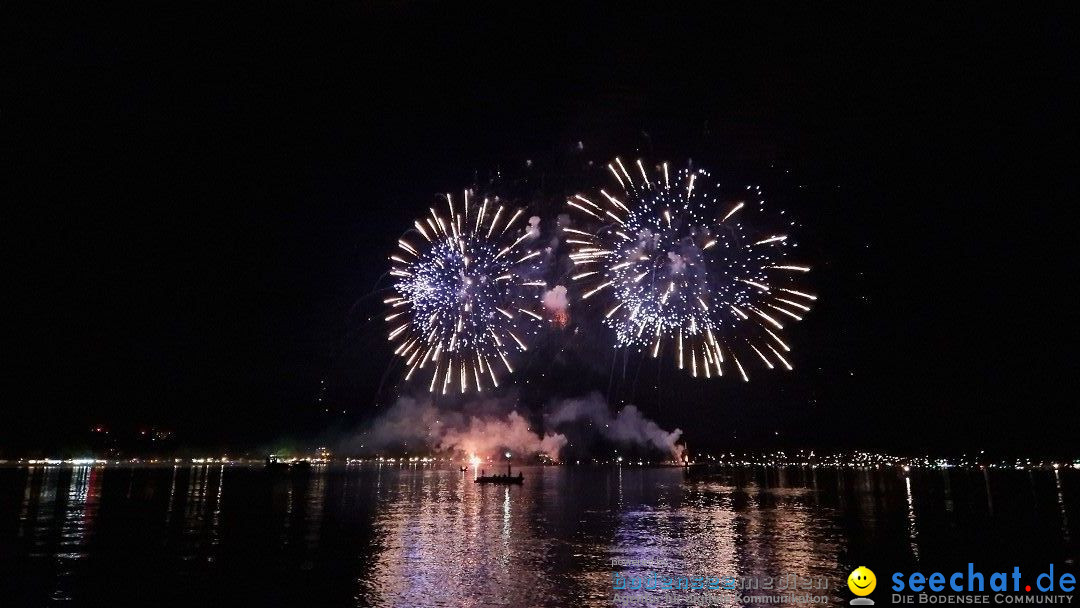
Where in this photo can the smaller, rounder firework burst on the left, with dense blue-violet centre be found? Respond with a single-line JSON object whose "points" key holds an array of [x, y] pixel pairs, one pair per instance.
{"points": [[465, 294]]}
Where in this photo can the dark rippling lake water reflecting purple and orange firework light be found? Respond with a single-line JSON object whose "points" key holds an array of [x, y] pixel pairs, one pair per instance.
{"points": [[397, 535]]}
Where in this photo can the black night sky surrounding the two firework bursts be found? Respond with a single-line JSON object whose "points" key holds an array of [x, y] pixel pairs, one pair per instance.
{"points": [[201, 198]]}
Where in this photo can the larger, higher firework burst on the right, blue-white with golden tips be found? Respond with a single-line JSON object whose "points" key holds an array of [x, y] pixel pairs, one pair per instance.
{"points": [[682, 273]]}
